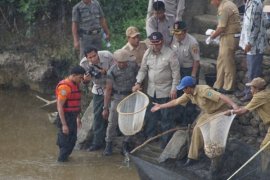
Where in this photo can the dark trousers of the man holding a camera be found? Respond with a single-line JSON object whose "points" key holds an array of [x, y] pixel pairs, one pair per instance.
{"points": [[99, 124]]}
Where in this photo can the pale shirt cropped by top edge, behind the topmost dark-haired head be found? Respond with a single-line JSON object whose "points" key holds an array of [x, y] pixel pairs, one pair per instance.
{"points": [[174, 7]]}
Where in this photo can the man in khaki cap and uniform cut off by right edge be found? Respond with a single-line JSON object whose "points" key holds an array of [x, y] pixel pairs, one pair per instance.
{"points": [[260, 103]]}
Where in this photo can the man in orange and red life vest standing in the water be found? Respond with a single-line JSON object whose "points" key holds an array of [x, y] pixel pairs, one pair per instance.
{"points": [[68, 106]]}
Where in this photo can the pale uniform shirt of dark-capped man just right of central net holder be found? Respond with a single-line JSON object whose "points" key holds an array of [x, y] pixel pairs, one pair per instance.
{"points": [[187, 51]]}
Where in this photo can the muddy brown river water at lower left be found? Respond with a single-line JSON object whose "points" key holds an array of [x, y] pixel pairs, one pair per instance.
{"points": [[28, 150]]}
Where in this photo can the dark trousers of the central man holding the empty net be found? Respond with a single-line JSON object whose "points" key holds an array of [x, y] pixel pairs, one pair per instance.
{"points": [[164, 116]]}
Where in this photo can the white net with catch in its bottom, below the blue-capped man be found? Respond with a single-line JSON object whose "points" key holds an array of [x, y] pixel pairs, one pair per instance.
{"points": [[215, 132]]}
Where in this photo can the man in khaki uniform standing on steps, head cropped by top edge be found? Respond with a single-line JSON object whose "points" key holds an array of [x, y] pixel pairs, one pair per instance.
{"points": [[227, 28]]}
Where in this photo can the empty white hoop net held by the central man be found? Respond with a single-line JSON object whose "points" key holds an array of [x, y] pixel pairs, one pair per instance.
{"points": [[131, 111]]}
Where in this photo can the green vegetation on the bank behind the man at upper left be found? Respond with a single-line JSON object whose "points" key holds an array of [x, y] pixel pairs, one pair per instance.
{"points": [[24, 18]]}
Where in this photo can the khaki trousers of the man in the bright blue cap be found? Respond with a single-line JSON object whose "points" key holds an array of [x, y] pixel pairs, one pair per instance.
{"points": [[197, 139]]}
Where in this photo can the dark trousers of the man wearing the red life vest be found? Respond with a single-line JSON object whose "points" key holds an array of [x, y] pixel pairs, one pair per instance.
{"points": [[65, 142]]}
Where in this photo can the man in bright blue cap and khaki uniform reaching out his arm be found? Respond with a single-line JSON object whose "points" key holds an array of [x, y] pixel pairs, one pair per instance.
{"points": [[210, 102]]}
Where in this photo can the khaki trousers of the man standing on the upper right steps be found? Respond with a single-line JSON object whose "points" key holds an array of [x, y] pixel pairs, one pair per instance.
{"points": [[226, 68]]}
